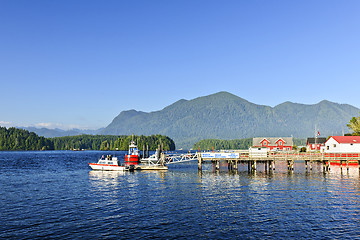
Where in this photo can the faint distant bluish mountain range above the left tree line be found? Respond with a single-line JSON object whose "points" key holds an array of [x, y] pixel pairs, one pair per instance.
{"points": [[49, 133]]}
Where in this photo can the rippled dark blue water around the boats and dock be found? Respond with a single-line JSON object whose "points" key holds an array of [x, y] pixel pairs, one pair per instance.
{"points": [[54, 195]]}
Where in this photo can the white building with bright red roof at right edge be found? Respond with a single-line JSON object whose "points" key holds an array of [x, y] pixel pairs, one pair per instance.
{"points": [[342, 144]]}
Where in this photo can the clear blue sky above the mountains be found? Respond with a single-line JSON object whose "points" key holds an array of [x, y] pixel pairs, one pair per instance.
{"points": [[78, 64]]}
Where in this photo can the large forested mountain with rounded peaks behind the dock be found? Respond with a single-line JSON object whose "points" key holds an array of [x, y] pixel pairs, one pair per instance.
{"points": [[226, 116]]}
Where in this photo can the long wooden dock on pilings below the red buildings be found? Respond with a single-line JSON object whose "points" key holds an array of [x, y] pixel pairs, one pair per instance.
{"points": [[269, 159]]}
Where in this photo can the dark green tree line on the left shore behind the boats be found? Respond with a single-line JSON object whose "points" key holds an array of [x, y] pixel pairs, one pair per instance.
{"points": [[14, 139]]}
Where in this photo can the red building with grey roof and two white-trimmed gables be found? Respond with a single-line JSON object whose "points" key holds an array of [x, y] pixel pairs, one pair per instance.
{"points": [[274, 143]]}
